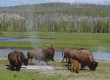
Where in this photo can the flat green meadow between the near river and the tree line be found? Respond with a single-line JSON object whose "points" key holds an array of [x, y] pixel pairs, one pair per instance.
{"points": [[92, 41]]}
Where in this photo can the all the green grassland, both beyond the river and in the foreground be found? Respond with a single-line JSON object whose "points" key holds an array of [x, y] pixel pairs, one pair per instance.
{"points": [[91, 41]]}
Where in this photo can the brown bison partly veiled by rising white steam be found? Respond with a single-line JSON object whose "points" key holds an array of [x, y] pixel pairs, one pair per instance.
{"points": [[45, 53]]}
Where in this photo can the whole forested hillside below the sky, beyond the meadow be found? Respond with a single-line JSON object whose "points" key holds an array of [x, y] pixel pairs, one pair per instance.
{"points": [[58, 17]]}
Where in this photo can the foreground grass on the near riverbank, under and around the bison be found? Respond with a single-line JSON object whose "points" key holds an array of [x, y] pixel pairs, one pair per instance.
{"points": [[102, 73]]}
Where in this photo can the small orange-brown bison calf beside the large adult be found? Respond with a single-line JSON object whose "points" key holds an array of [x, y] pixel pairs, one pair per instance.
{"points": [[74, 65]]}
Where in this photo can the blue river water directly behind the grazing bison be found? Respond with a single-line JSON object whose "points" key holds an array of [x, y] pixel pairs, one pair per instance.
{"points": [[58, 54]]}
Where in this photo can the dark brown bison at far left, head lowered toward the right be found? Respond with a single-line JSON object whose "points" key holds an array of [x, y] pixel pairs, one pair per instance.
{"points": [[16, 58]]}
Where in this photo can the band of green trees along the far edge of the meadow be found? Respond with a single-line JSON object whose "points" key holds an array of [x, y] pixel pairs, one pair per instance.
{"points": [[35, 25]]}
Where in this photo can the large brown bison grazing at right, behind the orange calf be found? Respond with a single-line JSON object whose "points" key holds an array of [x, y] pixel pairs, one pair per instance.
{"points": [[84, 57]]}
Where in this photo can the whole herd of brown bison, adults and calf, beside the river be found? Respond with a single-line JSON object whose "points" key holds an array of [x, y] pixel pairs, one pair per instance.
{"points": [[76, 58]]}
